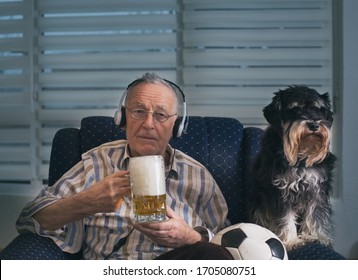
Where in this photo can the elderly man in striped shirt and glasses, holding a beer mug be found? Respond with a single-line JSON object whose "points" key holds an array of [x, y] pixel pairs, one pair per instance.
{"points": [[85, 209]]}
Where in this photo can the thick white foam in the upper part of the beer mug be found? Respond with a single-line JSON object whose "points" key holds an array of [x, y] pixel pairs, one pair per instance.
{"points": [[147, 175]]}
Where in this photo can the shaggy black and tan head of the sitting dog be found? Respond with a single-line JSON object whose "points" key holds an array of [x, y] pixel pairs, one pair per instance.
{"points": [[305, 118]]}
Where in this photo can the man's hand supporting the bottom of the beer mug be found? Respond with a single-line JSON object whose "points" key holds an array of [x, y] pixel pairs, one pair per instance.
{"points": [[172, 233]]}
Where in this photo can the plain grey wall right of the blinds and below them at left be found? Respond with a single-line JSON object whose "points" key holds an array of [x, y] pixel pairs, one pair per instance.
{"points": [[345, 205]]}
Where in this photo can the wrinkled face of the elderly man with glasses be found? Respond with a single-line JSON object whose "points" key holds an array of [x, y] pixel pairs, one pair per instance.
{"points": [[147, 136]]}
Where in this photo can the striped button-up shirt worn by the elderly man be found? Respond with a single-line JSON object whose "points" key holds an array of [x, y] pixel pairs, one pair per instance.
{"points": [[191, 192]]}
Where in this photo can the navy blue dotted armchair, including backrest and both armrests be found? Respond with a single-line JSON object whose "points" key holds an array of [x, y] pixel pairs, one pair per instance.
{"points": [[223, 145]]}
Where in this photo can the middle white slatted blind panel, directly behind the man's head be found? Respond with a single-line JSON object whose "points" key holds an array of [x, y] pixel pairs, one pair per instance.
{"points": [[90, 50]]}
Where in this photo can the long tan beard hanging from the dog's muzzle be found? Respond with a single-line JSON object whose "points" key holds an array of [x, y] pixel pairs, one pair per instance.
{"points": [[300, 143]]}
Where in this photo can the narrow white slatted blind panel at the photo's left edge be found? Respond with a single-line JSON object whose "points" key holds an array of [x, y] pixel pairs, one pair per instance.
{"points": [[15, 93]]}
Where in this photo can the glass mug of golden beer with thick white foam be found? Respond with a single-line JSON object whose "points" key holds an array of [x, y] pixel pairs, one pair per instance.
{"points": [[148, 188]]}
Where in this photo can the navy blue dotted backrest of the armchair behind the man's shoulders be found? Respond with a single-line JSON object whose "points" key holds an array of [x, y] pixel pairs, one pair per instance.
{"points": [[221, 144]]}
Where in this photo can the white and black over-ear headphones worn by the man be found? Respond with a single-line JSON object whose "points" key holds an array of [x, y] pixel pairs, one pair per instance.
{"points": [[181, 123]]}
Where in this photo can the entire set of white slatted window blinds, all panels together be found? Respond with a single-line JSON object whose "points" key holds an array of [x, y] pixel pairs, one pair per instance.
{"points": [[65, 60]]}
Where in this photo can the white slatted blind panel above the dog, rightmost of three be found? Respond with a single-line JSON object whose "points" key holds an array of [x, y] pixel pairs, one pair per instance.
{"points": [[237, 53]]}
